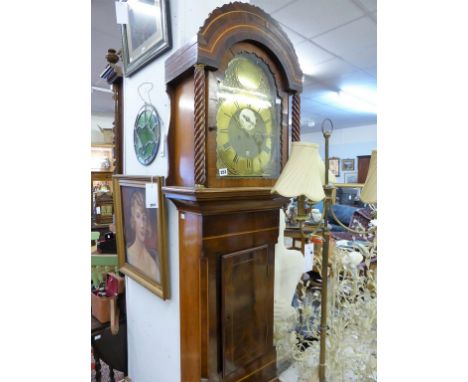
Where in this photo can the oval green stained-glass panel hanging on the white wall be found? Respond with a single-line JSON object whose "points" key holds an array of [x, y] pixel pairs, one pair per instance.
{"points": [[147, 134]]}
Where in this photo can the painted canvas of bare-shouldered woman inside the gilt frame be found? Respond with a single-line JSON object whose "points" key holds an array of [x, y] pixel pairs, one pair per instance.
{"points": [[141, 243]]}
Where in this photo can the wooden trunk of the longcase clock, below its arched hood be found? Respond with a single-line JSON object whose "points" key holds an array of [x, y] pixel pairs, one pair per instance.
{"points": [[227, 239]]}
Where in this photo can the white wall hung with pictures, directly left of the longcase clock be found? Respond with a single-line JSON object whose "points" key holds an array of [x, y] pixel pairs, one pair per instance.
{"points": [[153, 324]]}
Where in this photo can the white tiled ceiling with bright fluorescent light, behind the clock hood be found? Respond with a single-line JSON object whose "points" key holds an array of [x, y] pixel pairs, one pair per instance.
{"points": [[335, 41]]}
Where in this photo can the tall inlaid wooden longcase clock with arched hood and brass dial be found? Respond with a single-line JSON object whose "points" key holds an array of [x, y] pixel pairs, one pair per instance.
{"points": [[232, 91]]}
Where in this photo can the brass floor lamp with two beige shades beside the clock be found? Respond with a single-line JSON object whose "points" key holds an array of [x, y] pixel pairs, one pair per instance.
{"points": [[306, 175]]}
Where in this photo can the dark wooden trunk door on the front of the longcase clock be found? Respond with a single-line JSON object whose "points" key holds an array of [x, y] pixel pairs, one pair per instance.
{"points": [[246, 309]]}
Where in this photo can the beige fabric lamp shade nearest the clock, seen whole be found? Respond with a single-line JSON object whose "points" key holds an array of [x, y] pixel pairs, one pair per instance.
{"points": [[304, 173]]}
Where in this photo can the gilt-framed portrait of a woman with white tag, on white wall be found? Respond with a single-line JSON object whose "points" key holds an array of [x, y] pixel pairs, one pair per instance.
{"points": [[141, 231]]}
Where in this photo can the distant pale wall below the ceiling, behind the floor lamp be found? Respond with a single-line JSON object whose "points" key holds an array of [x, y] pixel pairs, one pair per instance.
{"points": [[346, 143]]}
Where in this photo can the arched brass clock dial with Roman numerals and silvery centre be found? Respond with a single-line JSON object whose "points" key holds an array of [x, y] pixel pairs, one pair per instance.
{"points": [[247, 138]]}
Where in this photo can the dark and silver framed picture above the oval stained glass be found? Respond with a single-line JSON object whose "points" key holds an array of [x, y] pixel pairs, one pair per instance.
{"points": [[147, 34]]}
